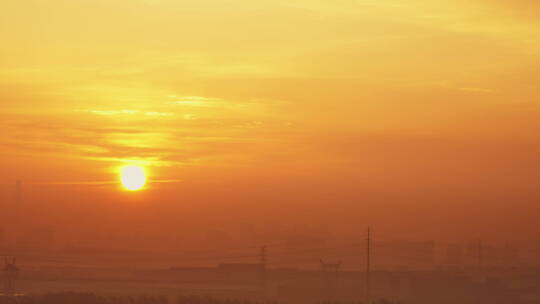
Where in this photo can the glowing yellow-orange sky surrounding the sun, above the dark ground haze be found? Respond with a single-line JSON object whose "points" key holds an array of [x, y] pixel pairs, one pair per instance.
{"points": [[390, 110]]}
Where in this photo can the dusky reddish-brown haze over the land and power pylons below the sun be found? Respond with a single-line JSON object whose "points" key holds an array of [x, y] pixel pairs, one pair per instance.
{"points": [[100, 256]]}
